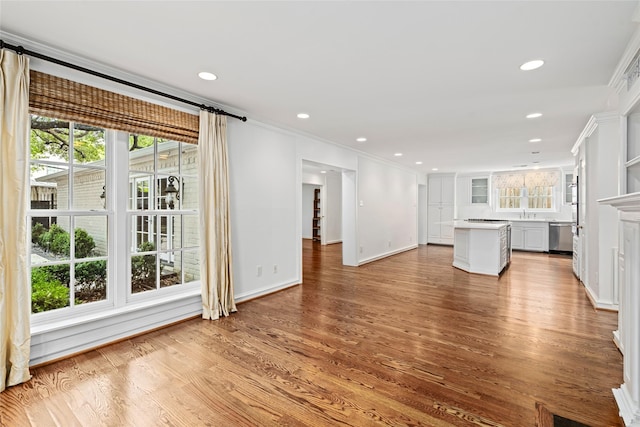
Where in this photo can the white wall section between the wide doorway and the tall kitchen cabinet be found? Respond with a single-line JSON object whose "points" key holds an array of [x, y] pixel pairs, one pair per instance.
{"points": [[387, 209]]}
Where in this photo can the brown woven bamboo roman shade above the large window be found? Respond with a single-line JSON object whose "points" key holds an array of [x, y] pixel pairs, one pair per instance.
{"points": [[65, 99]]}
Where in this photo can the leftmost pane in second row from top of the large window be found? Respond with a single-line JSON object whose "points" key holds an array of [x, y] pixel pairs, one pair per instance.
{"points": [[49, 186]]}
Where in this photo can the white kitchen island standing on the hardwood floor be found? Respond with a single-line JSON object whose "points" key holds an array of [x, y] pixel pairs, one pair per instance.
{"points": [[482, 247]]}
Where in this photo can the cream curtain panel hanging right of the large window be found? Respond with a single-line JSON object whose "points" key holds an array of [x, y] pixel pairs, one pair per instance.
{"points": [[216, 271]]}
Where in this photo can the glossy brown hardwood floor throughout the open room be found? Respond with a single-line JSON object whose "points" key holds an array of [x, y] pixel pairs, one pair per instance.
{"points": [[407, 340]]}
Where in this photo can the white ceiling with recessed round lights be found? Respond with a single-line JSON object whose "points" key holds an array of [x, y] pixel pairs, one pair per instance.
{"points": [[438, 81]]}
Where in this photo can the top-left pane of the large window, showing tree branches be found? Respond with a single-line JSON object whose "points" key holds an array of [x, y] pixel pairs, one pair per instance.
{"points": [[49, 139]]}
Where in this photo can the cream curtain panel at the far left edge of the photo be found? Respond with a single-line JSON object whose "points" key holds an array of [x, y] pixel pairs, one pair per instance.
{"points": [[15, 301]]}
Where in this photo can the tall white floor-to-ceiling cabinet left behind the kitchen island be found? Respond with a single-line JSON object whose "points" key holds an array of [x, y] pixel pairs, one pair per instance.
{"points": [[440, 210]]}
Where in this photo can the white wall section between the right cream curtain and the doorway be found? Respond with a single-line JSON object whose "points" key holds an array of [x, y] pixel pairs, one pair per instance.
{"points": [[263, 208]]}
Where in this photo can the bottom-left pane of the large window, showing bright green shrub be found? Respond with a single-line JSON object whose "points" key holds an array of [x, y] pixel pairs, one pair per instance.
{"points": [[49, 288]]}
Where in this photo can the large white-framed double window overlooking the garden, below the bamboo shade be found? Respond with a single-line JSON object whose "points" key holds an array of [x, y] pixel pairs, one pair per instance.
{"points": [[84, 203]]}
